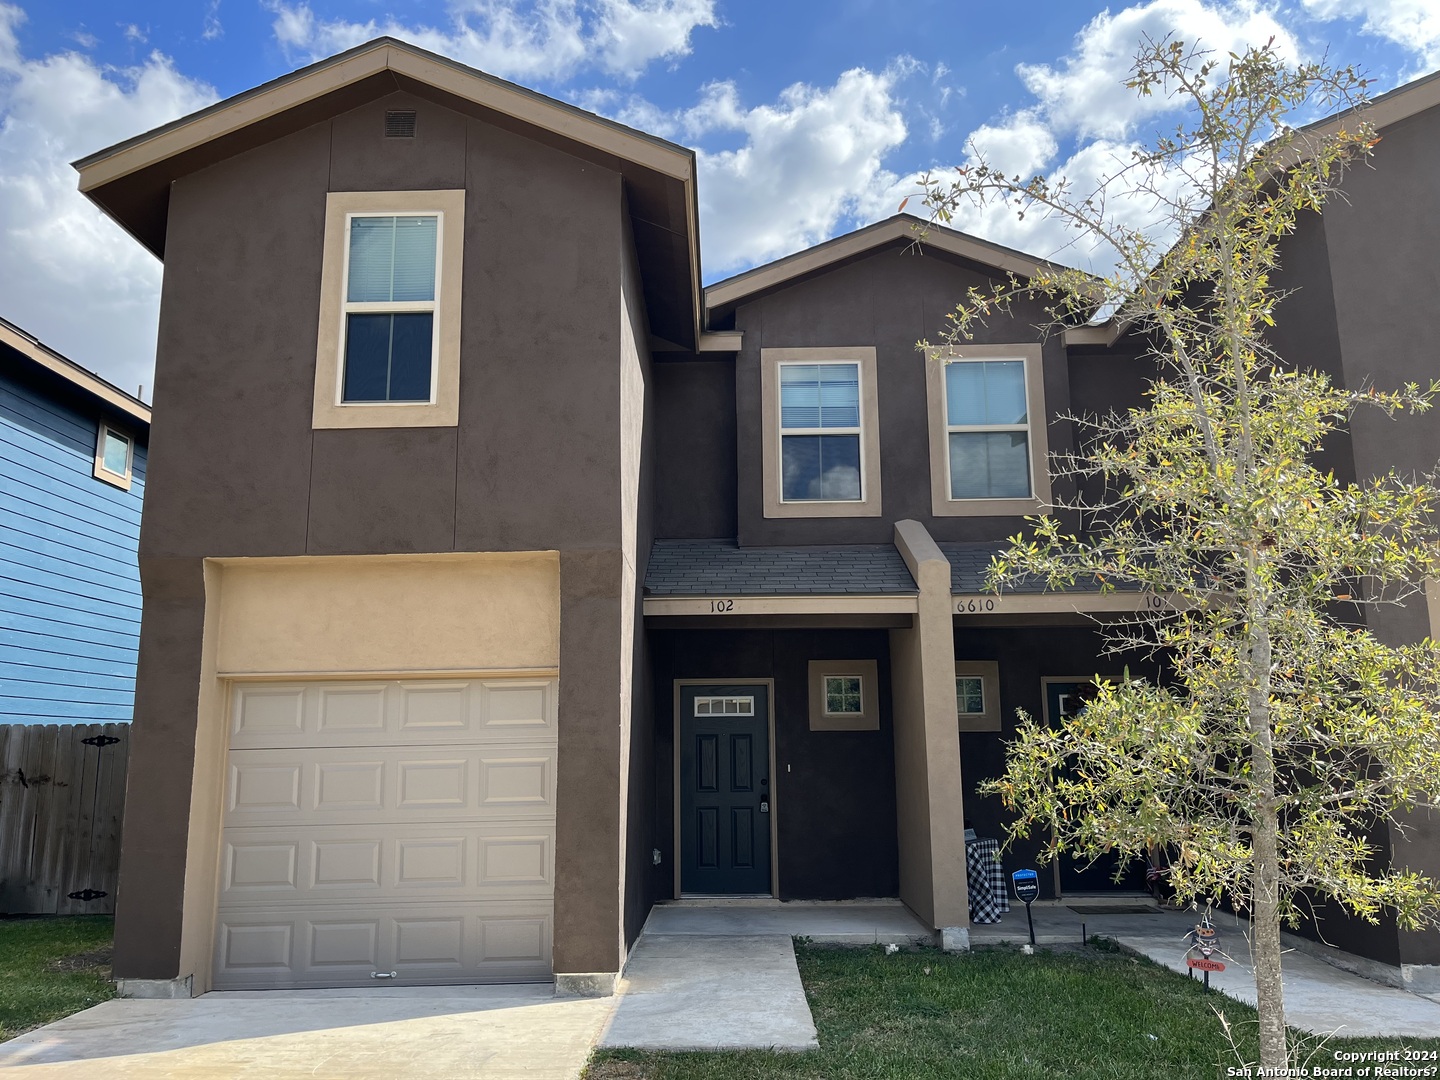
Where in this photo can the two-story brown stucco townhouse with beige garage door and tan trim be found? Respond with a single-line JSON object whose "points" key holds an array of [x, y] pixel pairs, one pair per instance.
{"points": [[502, 582]]}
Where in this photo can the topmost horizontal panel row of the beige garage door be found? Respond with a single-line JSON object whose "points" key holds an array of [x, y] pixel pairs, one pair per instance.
{"points": [[392, 712]]}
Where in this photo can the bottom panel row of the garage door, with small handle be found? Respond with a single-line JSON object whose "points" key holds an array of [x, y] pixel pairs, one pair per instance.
{"points": [[423, 944]]}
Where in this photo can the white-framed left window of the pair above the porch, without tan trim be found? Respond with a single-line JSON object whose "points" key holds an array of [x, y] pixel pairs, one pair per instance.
{"points": [[820, 434]]}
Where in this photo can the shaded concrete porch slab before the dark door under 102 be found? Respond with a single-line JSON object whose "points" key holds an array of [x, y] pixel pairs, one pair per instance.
{"points": [[866, 922]]}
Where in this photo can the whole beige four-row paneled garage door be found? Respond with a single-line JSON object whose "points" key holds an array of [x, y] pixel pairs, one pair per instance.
{"points": [[385, 827]]}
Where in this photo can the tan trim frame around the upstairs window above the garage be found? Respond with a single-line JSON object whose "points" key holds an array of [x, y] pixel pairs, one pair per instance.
{"points": [[444, 408]]}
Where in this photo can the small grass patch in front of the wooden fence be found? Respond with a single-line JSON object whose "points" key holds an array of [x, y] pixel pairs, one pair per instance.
{"points": [[51, 968]]}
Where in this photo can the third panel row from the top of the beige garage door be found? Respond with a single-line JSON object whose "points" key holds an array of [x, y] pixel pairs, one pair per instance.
{"points": [[410, 863]]}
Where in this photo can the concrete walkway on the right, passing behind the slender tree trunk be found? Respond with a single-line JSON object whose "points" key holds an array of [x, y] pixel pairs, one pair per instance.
{"points": [[1318, 996]]}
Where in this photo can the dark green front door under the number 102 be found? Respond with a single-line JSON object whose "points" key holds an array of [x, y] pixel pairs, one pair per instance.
{"points": [[725, 790]]}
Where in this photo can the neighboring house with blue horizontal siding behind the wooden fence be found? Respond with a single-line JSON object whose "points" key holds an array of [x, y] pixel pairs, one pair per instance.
{"points": [[73, 474]]}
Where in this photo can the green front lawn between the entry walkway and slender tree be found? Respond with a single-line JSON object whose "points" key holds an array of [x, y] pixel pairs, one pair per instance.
{"points": [[991, 1014]]}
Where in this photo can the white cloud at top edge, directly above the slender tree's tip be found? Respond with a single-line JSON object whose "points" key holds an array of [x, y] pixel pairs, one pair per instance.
{"points": [[1085, 94]]}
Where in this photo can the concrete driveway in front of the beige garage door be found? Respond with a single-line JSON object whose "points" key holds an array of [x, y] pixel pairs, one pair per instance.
{"points": [[437, 1033]]}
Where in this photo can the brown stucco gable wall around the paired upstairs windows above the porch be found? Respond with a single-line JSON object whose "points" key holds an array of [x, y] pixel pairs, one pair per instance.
{"points": [[889, 300]]}
